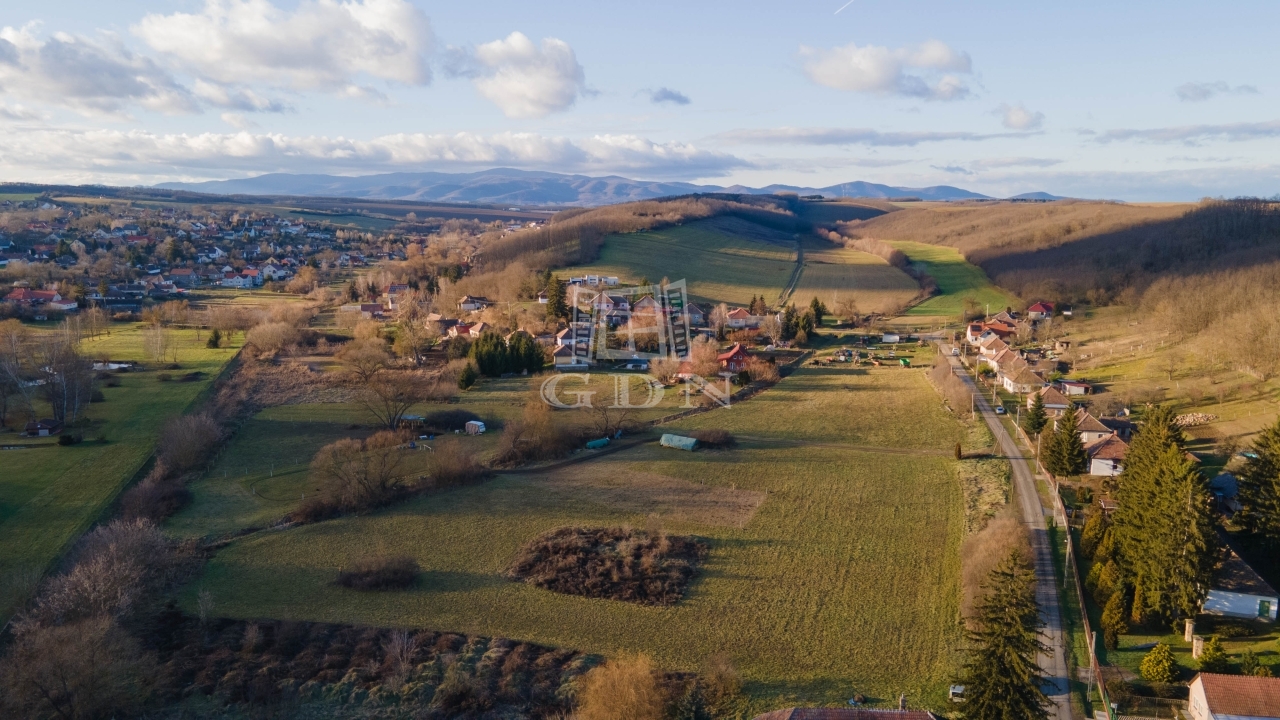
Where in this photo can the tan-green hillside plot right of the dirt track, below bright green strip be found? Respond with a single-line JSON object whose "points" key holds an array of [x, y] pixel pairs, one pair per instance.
{"points": [[834, 274]]}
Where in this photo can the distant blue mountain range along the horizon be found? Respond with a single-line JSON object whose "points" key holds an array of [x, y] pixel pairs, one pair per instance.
{"points": [[532, 188]]}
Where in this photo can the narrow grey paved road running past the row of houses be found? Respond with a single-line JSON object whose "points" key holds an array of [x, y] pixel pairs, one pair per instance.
{"points": [[1054, 663]]}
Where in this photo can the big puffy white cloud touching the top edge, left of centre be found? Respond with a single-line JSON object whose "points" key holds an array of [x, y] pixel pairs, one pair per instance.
{"points": [[324, 45]]}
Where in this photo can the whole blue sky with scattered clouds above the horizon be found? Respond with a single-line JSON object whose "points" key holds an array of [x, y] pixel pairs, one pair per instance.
{"points": [[1137, 102]]}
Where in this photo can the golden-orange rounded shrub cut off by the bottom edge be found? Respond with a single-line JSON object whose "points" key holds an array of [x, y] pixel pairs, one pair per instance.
{"points": [[623, 689]]}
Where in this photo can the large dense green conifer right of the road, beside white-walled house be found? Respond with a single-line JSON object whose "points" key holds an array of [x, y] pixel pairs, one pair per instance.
{"points": [[1164, 525]]}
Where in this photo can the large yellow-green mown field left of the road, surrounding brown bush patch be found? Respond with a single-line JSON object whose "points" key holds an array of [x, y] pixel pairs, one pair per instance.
{"points": [[833, 571]]}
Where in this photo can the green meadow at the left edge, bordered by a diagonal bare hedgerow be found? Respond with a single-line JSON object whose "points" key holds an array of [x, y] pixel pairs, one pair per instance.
{"points": [[49, 495]]}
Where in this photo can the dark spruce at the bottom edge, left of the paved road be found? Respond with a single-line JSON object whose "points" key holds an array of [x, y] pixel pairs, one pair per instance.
{"points": [[1000, 677]]}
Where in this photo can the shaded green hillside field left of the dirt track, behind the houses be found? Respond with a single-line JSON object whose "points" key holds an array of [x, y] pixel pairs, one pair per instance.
{"points": [[724, 259]]}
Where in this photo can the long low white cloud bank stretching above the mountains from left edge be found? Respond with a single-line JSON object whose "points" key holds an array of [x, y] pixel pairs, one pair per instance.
{"points": [[66, 154]]}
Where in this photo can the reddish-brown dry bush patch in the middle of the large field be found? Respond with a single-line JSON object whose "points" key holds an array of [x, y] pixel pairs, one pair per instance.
{"points": [[648, 568]]}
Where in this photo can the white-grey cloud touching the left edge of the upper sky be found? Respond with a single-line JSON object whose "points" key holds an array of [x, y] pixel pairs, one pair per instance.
{"points": [[86, 76]]}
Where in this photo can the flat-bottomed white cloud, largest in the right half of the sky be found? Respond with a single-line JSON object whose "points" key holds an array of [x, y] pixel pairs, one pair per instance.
{"points": [[885, 71]]}
